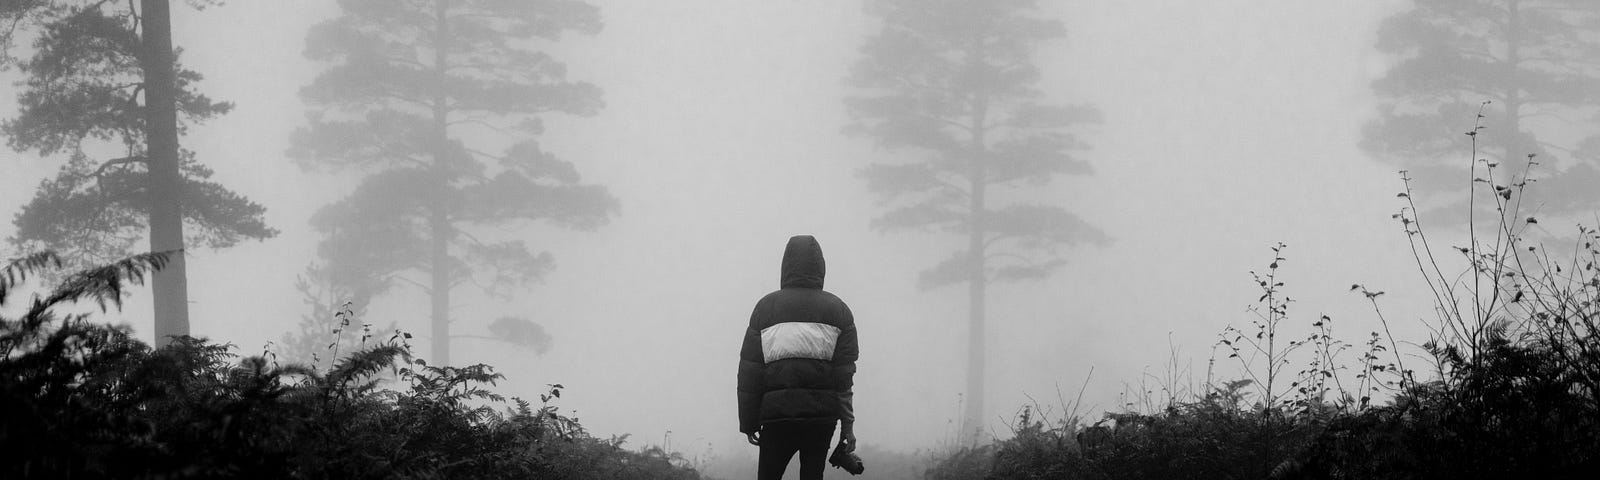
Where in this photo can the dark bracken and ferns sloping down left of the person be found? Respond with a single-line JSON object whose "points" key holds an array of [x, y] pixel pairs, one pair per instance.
{"points": [[89, 401]]}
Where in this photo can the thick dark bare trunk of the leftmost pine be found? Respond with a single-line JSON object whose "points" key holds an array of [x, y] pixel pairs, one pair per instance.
{"points": [[170, 286]]}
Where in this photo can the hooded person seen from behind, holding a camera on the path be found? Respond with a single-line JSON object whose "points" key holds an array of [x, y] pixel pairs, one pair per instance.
{"points": [[798, 367]]}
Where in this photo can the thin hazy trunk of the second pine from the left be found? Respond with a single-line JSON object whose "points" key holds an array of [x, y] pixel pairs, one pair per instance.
{"points": [[439, 222]]}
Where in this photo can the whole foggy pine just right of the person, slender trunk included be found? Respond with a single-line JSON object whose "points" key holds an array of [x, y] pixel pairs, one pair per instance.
{"points": [[956, 81]]}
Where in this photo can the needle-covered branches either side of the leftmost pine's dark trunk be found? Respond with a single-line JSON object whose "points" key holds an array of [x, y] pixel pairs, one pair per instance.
{"points": [[82, 86]]}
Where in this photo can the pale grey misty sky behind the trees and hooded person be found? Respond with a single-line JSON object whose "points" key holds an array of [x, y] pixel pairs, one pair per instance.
{"points": [[1230, 127]]}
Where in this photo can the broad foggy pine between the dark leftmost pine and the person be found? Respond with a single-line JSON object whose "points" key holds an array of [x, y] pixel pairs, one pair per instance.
{"points": [[418, 97]]}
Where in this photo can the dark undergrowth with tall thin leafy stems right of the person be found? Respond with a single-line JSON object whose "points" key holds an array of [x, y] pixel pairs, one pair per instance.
{"points": [[1508, 386]]}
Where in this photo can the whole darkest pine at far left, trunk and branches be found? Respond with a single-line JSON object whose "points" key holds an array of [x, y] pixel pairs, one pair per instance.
{"points": [[106, 73]]}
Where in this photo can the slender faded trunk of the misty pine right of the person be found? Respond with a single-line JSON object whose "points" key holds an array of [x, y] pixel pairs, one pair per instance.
{"points": [[978, 279]]}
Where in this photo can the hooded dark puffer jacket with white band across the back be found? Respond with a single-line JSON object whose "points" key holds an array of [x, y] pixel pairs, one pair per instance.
{"points": [[799, 356]]}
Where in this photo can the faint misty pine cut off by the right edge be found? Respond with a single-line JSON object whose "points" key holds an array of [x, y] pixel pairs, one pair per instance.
{"points": [[1534, 62]]}
